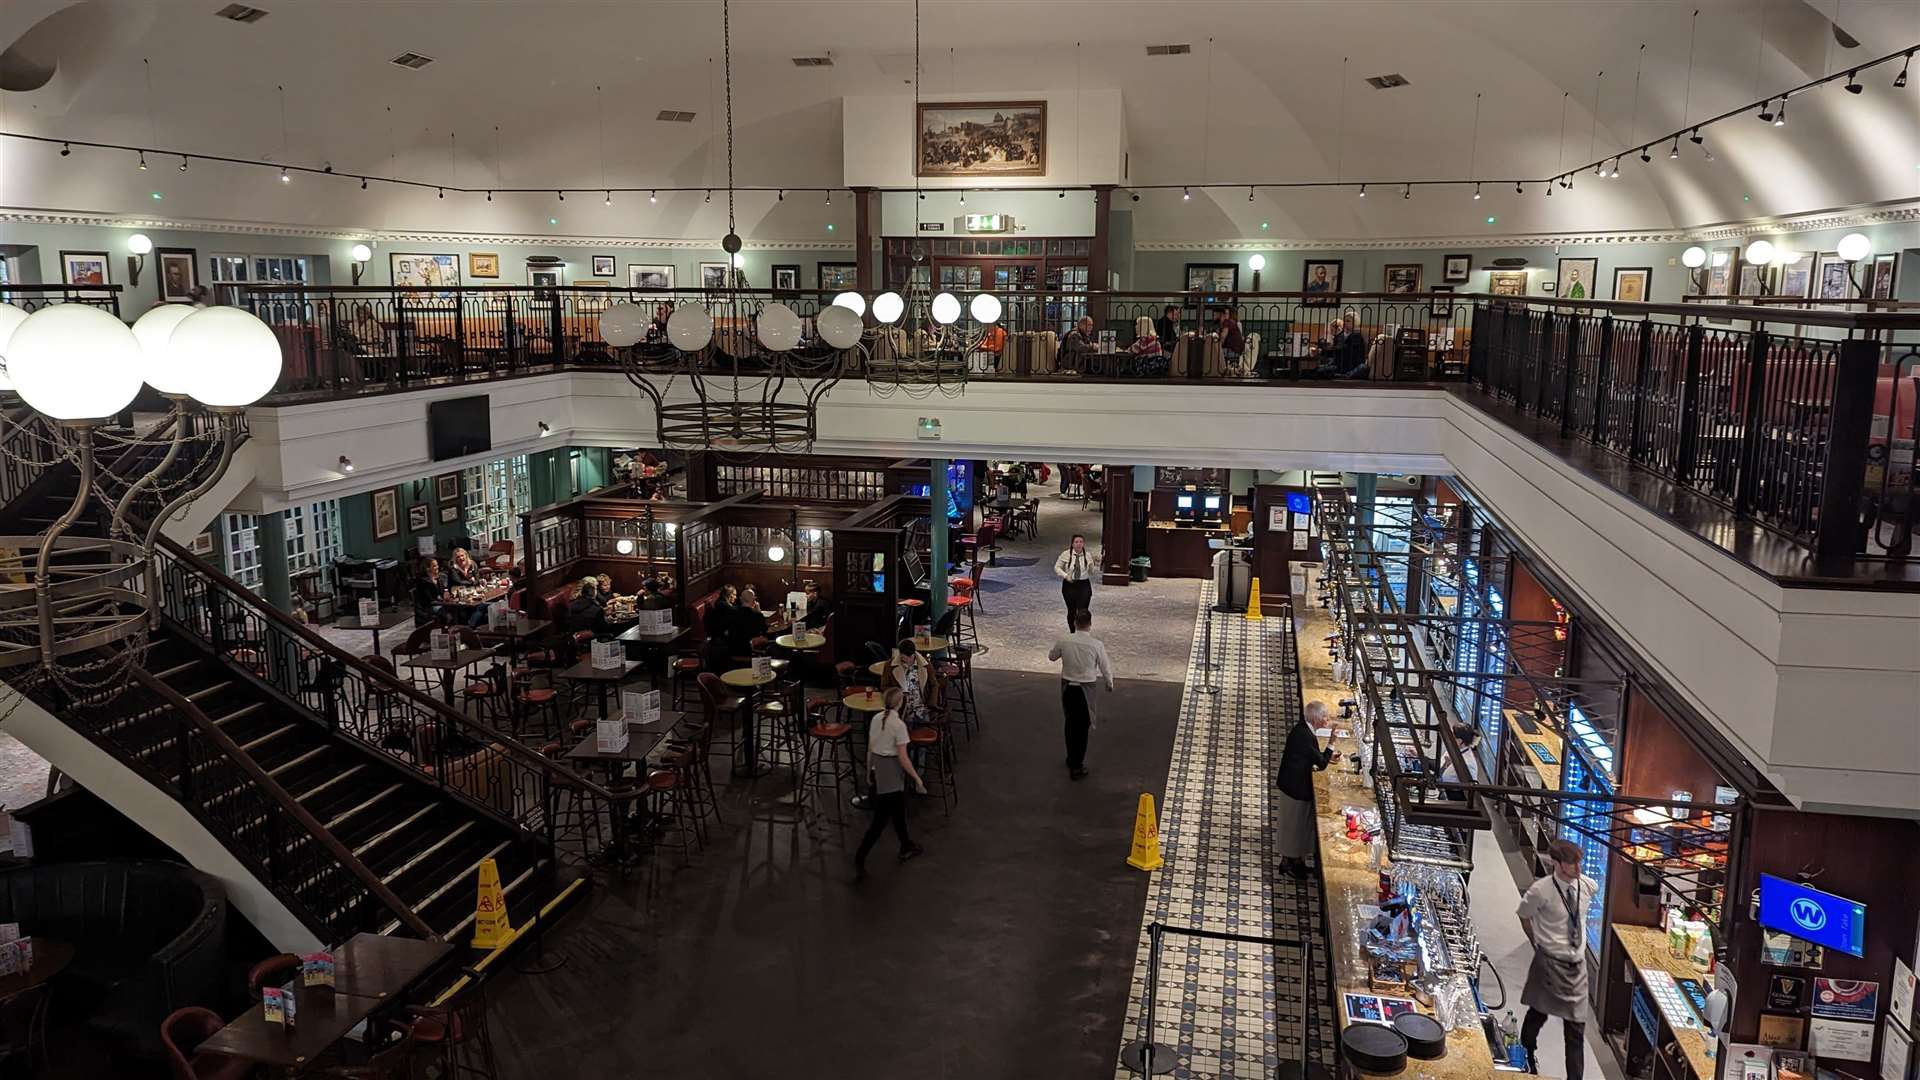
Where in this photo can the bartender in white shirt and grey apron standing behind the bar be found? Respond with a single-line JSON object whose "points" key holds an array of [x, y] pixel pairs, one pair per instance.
{"points": [[1554, 918]]}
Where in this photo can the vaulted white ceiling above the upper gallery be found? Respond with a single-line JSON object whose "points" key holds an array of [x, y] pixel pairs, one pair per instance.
{"points": [[554, 93]]}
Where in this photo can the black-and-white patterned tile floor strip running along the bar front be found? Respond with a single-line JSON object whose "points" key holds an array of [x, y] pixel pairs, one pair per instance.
{"points": [[1228, 1008]]}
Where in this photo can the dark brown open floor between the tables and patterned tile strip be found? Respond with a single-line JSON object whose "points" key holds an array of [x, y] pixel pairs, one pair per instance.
{"points": [[1003, 952]]}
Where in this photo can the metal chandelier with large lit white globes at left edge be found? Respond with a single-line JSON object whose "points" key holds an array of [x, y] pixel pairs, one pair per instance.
{"points": [[80, 606]]}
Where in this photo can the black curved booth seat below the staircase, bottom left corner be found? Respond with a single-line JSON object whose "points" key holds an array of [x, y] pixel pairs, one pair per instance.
{"points": [[147, 941]]}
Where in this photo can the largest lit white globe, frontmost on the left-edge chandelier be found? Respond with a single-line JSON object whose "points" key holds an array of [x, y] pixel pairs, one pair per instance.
{"points": [[74, 362]]}
